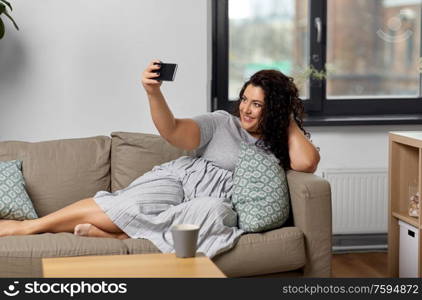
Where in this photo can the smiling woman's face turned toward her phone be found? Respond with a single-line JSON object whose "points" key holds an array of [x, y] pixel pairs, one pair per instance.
{"points": [[250, 109]]}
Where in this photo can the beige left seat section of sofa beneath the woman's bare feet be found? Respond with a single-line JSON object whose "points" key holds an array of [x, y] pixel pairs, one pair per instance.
{"points": [[20, 256]]}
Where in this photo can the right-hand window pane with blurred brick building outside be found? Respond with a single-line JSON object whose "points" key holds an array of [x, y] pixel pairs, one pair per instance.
{"points": [[373, 48]]}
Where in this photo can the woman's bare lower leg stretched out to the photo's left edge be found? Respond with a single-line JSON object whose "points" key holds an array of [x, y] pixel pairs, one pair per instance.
{"points": [[63, 220]]}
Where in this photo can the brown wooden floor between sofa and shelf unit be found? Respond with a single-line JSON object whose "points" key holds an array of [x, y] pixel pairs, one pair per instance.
{"points": [[368, 265]]}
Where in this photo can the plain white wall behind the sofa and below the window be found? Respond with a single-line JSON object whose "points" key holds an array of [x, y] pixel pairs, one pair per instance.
{"points": [[73, 70]]}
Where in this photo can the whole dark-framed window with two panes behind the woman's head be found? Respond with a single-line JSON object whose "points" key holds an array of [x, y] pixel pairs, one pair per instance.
{"points": [[355, 62]]}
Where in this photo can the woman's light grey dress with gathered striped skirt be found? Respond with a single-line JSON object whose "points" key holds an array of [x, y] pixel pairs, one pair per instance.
{"points": [[192, 190]]}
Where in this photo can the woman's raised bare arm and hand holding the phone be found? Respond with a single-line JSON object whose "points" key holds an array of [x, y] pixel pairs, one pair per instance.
{"points": [[182, 133]]}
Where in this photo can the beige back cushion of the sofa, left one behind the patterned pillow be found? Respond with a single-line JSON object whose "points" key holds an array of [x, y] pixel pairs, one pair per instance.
{"points": [[58, 173]]}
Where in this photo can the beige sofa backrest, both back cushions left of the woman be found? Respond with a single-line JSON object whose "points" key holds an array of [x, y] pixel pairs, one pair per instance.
{"points": [[61, 172]]}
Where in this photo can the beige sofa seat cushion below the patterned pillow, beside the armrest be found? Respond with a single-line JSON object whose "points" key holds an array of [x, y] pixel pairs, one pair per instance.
{"points": [[274, 251]]}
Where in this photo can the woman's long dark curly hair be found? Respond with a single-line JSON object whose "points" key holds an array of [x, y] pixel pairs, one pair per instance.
{"points": [[281, 101]]}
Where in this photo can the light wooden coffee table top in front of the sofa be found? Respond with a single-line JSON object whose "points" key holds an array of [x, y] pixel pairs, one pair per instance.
{"points": [[136, 265]]}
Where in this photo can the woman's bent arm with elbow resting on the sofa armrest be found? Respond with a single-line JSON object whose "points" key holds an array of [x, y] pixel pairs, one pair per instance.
{"points": [[304, 157]]}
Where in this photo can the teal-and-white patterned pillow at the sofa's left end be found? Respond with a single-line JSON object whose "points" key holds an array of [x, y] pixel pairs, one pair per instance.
{"points": [[14, 201]]}
